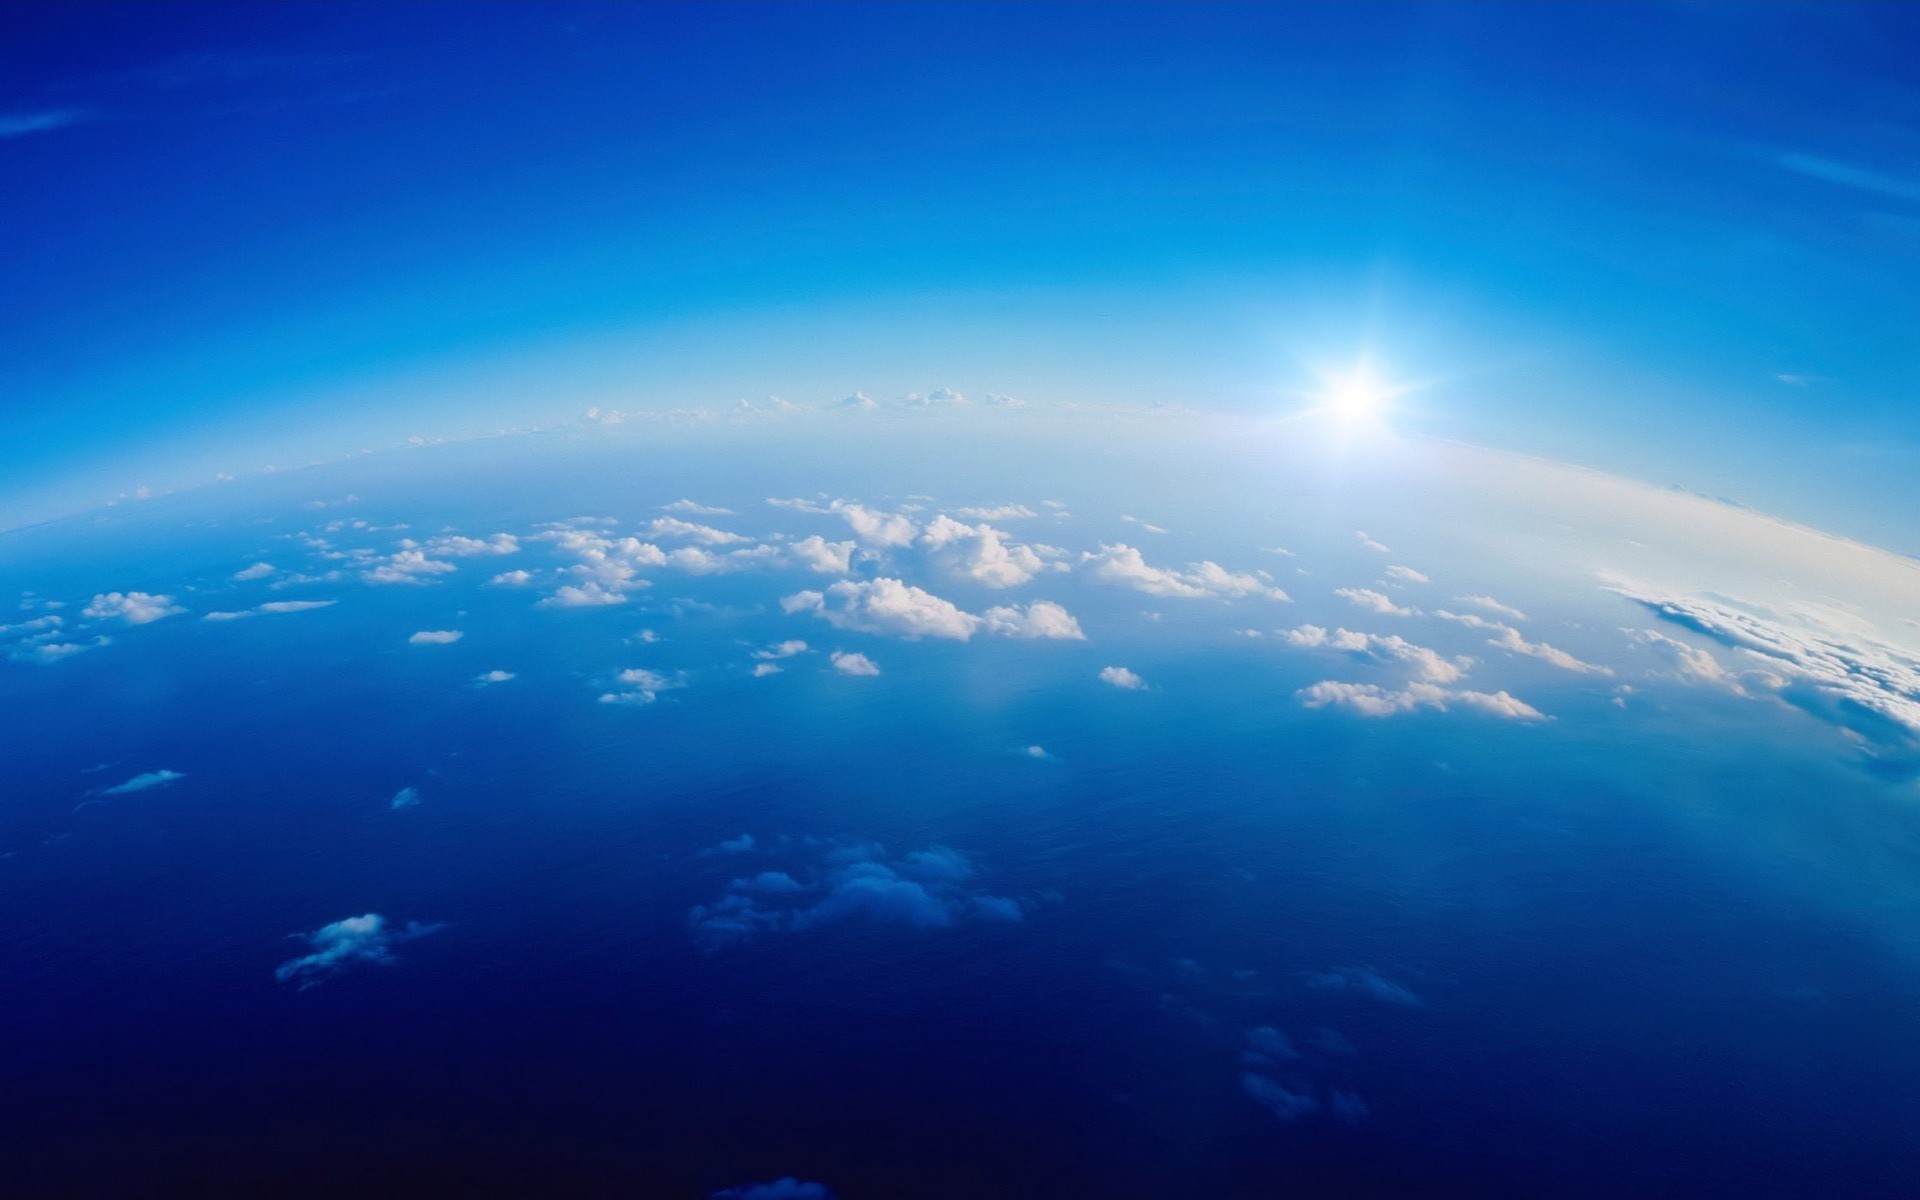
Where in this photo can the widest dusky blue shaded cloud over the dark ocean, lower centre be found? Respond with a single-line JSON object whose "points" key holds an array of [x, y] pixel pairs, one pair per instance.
{"points": [[840, 882]]}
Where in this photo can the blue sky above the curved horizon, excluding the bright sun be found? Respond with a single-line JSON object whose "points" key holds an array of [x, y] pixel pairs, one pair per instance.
{"points": [[1681, 243]]}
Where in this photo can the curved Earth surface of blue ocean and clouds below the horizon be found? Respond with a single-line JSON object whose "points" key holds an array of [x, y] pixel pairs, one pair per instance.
{"points": [[959, 805]]}
